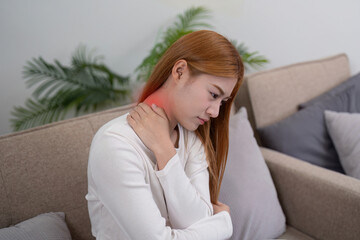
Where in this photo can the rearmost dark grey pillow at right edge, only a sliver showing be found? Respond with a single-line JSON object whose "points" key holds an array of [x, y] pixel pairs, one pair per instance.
{"points": [[353, 82]]}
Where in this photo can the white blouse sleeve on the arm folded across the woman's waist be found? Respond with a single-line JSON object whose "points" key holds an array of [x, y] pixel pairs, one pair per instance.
{"points": [[118, 175]]}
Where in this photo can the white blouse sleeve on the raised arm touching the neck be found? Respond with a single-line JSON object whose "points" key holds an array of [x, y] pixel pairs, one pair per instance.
{"points": [[187, 190]]}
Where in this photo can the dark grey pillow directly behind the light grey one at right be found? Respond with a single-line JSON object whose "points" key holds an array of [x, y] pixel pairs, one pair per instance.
{"points": [[304, 135]]}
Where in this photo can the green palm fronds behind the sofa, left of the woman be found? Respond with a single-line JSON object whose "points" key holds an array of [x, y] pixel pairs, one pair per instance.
{"points": [[85, 86]]}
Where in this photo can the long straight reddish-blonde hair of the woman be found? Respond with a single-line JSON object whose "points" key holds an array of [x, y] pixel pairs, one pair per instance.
{"points": [[211, 53]]}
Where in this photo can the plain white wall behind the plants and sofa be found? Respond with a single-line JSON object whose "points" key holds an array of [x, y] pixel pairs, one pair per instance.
{"points": [[285, 31]]}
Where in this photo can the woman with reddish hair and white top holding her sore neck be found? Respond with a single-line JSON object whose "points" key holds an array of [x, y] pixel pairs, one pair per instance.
{"points": [[156, 172]]}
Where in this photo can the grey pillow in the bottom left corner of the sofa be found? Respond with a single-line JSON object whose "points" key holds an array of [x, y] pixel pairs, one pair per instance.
{"points": [[47, 226]]}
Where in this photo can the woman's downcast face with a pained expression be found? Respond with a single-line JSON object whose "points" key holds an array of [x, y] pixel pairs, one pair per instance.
{"points": [[199, 98]]}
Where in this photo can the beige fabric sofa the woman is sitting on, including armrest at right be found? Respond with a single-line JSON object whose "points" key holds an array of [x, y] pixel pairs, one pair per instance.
{"points": [[44, 169]]}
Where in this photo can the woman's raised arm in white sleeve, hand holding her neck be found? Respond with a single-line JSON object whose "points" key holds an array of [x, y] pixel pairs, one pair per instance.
{"points": [[187, 193]]}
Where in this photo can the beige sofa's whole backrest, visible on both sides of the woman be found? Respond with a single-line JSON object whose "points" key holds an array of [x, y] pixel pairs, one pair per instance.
{"points": [[44, 169]]}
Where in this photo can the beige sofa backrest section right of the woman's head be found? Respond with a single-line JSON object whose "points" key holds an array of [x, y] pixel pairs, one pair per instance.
{"points": [[275, 94]]}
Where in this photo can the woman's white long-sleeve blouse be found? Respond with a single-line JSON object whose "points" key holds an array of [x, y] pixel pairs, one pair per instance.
{"points": [[129, 198]]}
